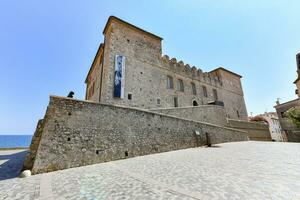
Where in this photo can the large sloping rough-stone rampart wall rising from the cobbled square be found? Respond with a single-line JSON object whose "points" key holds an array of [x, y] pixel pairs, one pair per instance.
{"points": [[77, 133]]}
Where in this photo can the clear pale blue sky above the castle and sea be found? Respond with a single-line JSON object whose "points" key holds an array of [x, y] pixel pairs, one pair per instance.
{"points": [[47, 47]]}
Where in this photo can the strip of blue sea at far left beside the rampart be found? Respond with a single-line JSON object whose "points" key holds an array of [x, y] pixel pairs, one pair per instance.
{"points": [[11, 141]]}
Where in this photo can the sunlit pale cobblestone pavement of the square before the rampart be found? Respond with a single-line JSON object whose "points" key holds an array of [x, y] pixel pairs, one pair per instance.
{"points": [[241, 170]]}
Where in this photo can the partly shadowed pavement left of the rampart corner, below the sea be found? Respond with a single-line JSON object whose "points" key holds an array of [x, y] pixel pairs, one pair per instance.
{"points": [[11, 163]]}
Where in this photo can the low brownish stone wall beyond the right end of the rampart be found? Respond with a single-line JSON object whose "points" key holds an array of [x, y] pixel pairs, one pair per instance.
{"points": [[256, 131]]}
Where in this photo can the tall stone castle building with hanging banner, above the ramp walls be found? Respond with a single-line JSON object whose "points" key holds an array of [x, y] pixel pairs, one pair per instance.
{"points": [[151, 80]]}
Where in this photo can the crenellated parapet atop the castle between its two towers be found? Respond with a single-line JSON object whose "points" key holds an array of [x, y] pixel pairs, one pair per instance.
{"points": [[186, 70]]}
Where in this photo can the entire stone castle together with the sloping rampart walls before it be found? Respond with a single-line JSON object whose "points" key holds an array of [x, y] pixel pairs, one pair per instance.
{"points": [[139, 102]]}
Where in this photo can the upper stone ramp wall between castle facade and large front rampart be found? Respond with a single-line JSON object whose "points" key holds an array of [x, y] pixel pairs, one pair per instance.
{"points": [[205, 113]]}
